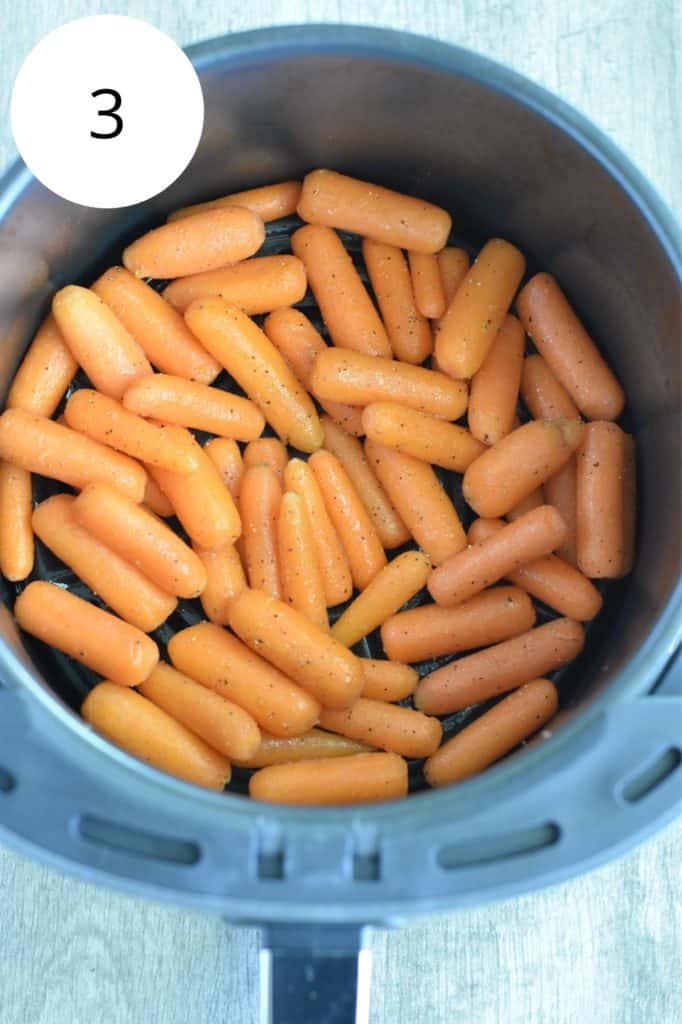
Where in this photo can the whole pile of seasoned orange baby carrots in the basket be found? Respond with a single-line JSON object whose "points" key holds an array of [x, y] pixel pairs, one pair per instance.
{"points": [[271, 540]]}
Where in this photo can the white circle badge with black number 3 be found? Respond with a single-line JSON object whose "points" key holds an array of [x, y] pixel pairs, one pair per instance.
{"points": [[107, 111]]}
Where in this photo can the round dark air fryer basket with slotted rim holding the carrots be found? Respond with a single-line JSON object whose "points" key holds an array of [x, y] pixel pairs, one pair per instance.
{"points": [[507, 160]]}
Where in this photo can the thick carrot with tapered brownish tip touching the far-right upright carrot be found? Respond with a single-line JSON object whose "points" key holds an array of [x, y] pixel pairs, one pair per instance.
{"points": [[520, 463]]}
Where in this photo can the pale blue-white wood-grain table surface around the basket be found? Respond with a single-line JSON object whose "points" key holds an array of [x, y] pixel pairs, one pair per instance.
{"points": [[602, 950]]}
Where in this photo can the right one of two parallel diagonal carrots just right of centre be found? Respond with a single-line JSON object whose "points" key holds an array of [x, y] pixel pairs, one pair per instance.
{"points": [[420, 500]]}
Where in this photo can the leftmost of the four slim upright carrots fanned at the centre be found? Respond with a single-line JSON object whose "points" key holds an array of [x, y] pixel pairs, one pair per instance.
{"points": [[261, 496]]}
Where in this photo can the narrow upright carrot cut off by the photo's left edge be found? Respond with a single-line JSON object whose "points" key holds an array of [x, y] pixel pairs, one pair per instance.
{"points": [[17, 549]]}
